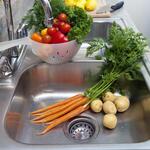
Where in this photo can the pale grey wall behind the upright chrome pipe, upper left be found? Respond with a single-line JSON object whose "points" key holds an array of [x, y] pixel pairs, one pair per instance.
{"points": [[19, 9]]}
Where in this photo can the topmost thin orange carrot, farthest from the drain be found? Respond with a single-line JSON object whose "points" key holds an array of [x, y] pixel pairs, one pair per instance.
{"points": [[56, 104]]}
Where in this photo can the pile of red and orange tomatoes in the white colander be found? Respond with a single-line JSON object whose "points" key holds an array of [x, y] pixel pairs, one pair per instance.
{"points": [[55, 34]]}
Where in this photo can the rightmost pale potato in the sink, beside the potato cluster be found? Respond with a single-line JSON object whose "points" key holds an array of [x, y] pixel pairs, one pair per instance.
{"points": [[122, 103]]}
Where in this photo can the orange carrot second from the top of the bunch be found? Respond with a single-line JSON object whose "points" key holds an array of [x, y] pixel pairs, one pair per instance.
{"points": [[57, 109]]}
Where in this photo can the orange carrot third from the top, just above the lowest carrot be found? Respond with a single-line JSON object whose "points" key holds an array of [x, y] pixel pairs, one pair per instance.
{"points": [[63, 112]]}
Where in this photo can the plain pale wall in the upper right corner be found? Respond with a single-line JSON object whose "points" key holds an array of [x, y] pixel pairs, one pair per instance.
{"points": [[139, 11]]}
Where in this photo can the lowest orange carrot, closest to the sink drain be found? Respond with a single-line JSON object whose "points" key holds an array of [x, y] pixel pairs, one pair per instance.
{"points": [[64, 118]]}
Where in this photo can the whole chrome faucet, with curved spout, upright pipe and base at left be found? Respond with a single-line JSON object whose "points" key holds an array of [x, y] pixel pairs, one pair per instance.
{"points": [[12, 59]]}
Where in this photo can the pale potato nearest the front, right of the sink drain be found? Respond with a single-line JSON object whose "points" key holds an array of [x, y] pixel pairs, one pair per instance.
{"points": [[110, 121]]}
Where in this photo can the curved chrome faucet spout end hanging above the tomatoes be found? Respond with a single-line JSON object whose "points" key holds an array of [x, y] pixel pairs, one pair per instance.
{"points": [[48, 12]]}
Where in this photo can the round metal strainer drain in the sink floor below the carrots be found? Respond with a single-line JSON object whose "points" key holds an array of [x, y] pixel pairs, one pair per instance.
{"points": [[81, 129]]}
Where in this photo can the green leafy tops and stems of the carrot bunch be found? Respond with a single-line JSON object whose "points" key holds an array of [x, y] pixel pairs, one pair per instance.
{"points": [[123, 51]]}
